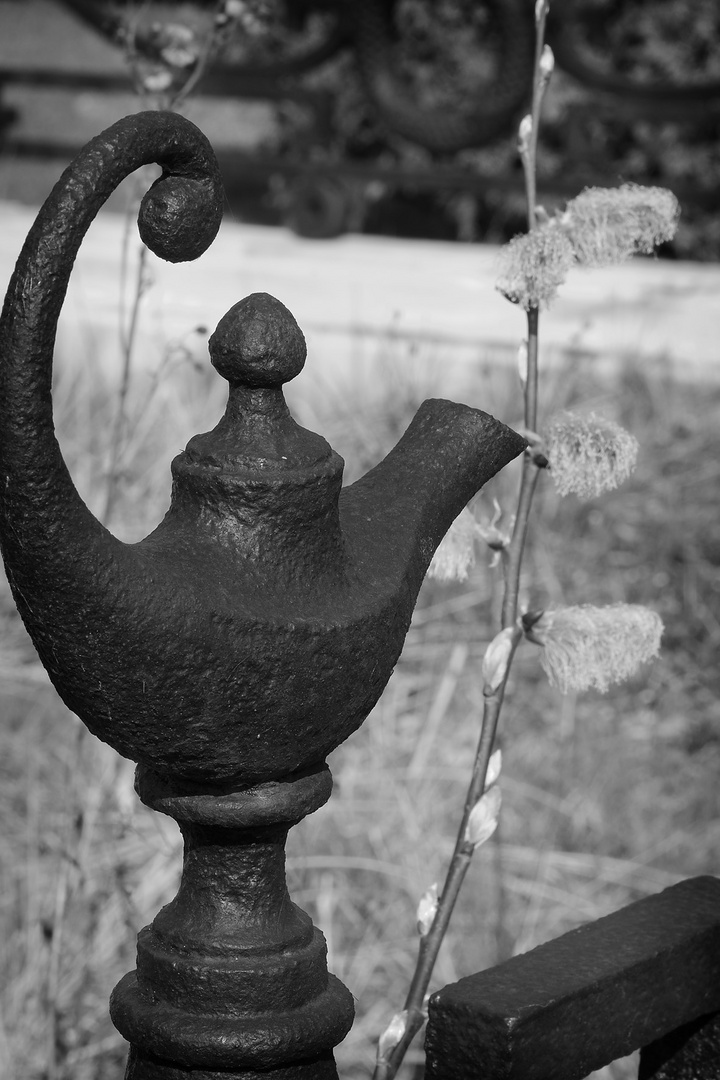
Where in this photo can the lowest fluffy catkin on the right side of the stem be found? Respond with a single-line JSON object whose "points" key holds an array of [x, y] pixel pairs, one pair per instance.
{"points": [[589, 646]]}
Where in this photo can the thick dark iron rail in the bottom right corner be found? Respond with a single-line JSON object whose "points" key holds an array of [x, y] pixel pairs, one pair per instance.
{"points": [[587, 998]]}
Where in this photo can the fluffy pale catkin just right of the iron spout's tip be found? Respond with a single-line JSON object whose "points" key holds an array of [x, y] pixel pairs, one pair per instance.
{"points": [[589, 455]]}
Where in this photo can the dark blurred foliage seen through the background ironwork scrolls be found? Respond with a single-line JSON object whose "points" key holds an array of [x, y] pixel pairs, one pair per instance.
{"points": [[589, 137]]}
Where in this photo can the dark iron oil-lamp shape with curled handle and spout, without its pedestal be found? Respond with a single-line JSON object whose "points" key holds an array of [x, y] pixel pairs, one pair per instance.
{"points": [[257, 626]]}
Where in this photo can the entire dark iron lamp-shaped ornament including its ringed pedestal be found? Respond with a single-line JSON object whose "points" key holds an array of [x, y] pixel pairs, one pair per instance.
{"points": [[237, 645]]}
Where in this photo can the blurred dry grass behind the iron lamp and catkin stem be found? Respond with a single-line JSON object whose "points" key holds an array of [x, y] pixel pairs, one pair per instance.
{"points": [[607, 800]]}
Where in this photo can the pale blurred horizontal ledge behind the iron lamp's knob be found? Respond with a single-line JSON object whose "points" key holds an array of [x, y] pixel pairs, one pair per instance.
{"points": [[430, 306]]}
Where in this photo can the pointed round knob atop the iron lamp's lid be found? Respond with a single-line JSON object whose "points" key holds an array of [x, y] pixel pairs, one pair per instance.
{"points": [[259, 344]]}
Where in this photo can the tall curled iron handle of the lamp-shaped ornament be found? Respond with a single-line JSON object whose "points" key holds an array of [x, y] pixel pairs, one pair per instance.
{"points": [[179, 220]]}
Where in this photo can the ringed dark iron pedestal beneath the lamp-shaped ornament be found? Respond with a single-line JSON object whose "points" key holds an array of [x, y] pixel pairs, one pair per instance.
{"points": [[232, 977]]}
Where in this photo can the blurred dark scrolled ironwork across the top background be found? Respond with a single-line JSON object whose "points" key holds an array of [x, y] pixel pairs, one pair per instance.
{"points": [[398, 116]]}
